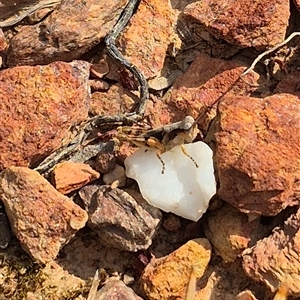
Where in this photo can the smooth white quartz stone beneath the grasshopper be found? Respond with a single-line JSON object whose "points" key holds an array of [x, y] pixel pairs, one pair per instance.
{"points": [[183, 189]]}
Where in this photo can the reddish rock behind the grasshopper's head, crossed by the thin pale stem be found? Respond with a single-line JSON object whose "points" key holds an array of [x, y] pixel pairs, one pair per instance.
{"points": [[204, 83]]}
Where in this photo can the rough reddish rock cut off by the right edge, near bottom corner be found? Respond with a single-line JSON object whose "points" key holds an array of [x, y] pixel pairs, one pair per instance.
{"points": [[275, 260]]}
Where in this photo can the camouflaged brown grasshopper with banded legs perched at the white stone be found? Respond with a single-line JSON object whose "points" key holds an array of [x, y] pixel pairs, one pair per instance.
{"points": [[162, 139]]}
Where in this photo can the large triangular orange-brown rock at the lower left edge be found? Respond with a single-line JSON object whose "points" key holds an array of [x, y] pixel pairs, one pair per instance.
{"points": [[42, 219]]}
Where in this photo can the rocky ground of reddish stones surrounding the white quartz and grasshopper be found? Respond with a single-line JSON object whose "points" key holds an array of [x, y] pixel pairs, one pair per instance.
{"points": [[58, 227]]}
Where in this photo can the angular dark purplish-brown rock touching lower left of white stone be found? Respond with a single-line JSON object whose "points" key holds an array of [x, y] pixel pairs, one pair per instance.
{"points": [[121, 219]]}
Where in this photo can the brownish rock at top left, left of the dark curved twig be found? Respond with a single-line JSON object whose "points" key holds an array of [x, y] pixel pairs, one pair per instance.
{"points": [[70, 31]]}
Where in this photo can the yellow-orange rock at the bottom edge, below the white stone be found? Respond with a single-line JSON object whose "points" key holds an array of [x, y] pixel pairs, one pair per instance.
{"points": [[168, 277]]}
